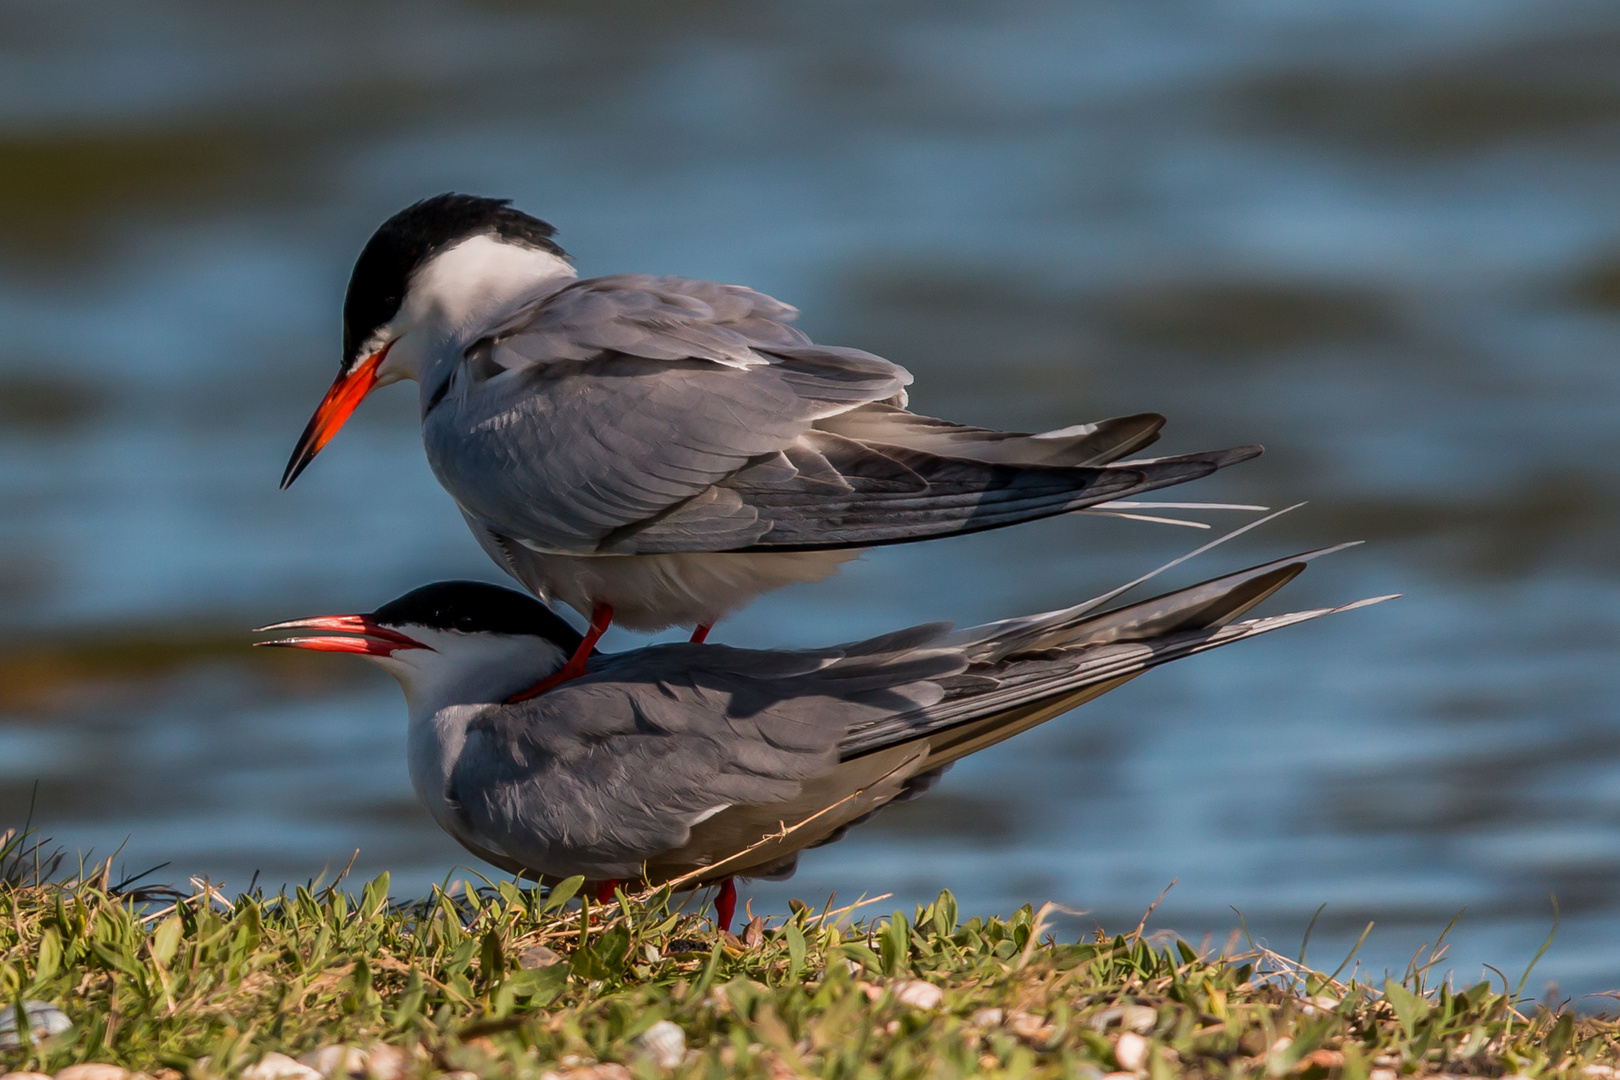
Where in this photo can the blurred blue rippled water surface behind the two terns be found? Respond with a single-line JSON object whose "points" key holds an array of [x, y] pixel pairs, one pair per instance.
{"points": [[1383, 239]]}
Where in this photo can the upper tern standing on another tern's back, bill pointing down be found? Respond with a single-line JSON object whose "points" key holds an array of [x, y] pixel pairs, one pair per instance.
{"points": [[660, 451]]}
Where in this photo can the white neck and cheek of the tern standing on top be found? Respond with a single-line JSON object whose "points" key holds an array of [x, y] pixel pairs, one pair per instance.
{"points": [[464, 294]]}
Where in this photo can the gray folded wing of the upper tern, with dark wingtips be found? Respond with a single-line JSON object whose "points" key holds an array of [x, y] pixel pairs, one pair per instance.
{"points": [[637, 415]]}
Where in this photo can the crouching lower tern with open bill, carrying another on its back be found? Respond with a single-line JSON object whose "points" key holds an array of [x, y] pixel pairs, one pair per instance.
{"points": [[696, 763]]}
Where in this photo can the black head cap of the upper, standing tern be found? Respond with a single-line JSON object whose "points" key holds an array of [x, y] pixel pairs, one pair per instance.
{"points": [[412, 237]]}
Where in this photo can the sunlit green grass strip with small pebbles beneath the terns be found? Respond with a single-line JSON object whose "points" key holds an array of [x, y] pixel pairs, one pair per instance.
{"points": [[156, 982]]}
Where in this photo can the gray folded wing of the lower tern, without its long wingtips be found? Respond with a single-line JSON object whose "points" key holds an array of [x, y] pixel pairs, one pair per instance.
{"points": [[615, 768]]}
